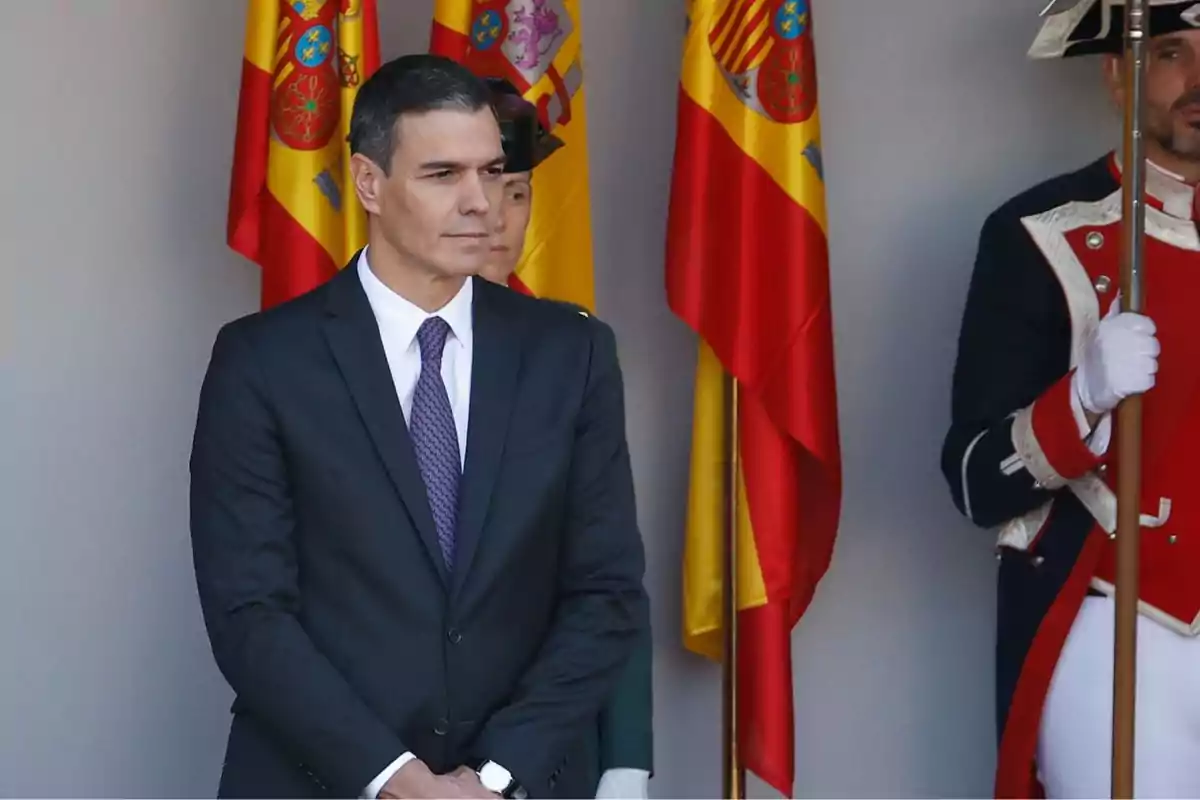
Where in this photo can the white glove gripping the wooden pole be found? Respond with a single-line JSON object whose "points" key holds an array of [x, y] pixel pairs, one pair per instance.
{"points": [[1120, 359]]}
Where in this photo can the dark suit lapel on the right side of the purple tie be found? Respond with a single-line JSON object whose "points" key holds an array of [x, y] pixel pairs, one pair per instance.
{"points": [[496, 363]]}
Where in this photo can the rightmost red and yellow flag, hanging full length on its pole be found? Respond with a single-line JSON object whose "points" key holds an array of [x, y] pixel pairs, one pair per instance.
{"points": [[748, 270]]}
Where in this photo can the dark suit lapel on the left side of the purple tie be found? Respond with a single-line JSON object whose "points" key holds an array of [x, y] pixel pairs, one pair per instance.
{"points": [[353, 338]]}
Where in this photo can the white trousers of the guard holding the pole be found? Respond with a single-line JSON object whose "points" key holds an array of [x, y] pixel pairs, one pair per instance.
{"points": [[1076, 741]]}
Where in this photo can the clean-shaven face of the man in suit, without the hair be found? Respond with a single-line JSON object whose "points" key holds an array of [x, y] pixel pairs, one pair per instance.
{"points": [[441, 202]]}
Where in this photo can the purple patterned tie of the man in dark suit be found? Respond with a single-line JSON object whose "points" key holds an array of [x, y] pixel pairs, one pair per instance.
{"points": [[435, 435]]}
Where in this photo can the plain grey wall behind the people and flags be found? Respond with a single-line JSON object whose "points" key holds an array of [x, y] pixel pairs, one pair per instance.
{"points": [[117, 148]]}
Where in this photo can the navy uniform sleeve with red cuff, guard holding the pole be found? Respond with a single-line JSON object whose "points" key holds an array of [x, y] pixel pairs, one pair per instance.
{"points": [[1013, 438]]}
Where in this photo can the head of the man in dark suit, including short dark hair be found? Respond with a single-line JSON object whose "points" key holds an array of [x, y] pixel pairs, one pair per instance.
{"points": [[430, 175]]}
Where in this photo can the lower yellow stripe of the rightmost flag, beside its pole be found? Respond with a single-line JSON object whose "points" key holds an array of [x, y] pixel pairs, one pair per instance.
{"points": [[705, 545]]}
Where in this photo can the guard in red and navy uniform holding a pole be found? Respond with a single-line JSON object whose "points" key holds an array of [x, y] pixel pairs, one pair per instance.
{"points": [[1045, 358]]}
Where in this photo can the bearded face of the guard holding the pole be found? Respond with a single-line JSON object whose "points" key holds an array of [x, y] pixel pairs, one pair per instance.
{"points": [[1173, 93]]}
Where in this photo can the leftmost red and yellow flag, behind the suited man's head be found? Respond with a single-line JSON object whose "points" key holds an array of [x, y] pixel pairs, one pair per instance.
{"points": [[292, 204]]}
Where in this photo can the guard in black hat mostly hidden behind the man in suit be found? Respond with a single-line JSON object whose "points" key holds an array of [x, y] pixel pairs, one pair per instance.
{"points": [[626, 737]]}
